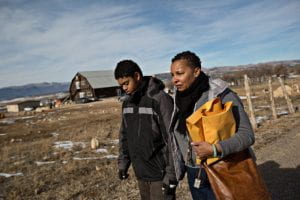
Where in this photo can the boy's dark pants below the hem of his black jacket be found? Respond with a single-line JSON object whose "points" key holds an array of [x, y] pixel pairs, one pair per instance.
{"points": [[153, 191]]}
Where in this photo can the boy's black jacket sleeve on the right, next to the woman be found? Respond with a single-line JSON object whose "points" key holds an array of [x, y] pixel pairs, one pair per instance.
{"points": [[165, 109]]}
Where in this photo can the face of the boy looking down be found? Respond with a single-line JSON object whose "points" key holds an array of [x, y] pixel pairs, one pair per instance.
{"points": [[129, 84]]}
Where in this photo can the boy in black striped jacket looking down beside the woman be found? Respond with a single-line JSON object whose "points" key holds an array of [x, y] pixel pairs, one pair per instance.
{"points": [[146, 115]]}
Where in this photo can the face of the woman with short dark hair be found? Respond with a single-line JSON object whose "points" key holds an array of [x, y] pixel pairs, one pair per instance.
{"points": [[183, 75]]}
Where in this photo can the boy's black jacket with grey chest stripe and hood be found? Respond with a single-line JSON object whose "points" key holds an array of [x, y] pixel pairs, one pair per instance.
{"points": [[143, 136]]}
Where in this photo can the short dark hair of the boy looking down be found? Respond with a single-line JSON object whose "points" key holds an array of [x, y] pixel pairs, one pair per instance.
{"points": [[127, 68]]}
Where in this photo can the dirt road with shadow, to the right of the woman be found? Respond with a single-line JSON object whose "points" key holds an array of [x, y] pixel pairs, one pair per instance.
{"points": [[279, 158]]}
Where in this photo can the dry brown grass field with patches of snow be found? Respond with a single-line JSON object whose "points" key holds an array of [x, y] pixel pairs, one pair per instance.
{"points": [[31, 140]]}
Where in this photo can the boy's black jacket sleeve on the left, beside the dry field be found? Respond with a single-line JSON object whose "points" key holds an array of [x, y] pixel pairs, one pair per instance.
{"points": [[124, 158]]}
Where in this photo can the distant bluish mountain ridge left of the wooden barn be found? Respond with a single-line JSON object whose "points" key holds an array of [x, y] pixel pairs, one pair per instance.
{"points": [[8, 93]]}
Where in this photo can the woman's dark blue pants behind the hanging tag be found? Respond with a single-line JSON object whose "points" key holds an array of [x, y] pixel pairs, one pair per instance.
{"points": [[205, 191]]}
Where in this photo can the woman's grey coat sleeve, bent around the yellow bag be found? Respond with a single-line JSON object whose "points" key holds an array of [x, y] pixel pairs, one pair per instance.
{"points": [[244, 136]]}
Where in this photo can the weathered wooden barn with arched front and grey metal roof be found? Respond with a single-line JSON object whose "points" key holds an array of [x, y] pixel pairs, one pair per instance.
{"points": [[92, 85]]}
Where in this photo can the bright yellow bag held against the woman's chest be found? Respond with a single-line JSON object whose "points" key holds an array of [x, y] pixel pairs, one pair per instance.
{"points": [[211, 123]]}
